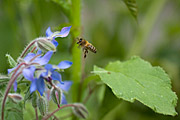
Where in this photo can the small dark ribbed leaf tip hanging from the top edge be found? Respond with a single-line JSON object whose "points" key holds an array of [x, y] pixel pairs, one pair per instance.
{"points": [[132, 6]]}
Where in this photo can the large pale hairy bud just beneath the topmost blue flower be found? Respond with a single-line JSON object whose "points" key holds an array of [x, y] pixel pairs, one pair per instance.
{"points": [[45, 45]]}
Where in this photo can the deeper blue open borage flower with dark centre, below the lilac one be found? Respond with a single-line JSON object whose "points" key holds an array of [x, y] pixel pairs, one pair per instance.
{"points": [[49, 75]]}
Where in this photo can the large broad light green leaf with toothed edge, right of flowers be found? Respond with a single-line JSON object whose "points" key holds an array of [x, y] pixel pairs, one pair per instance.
{"points": [[136, 79]]}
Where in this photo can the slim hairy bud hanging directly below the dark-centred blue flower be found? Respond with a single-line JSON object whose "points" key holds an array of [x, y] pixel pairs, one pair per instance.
{"points": [[56, 95]]}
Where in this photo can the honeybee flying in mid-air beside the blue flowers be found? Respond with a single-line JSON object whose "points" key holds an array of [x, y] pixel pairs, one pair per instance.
{"points": [[86, 46]]}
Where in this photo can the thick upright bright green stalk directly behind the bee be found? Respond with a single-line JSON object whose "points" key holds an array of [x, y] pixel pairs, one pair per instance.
{"points": [[76, 52]]}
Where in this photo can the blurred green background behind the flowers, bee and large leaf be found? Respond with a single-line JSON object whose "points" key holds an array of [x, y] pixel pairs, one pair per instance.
{"points": [[110, 27]]}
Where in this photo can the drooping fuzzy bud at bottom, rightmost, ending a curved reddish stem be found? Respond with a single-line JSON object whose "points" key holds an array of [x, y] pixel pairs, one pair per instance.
{"points": [[80, 111]]}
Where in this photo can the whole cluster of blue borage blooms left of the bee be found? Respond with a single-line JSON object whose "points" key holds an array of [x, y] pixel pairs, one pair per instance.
{"points": [[35, 68]]}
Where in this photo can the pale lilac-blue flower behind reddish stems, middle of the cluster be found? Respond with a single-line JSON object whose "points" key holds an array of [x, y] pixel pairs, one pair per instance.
{"points": [[30, 61]]}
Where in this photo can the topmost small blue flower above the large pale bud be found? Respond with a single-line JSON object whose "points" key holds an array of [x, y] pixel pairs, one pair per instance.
{"points": [[63, 33]]}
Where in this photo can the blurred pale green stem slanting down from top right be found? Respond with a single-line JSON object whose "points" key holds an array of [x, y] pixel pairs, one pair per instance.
{"points": [[146, 27]]}
